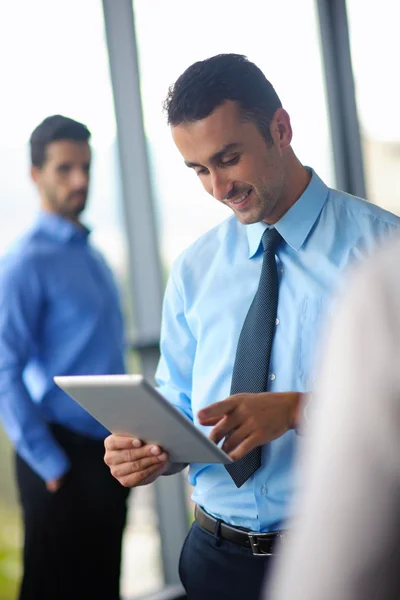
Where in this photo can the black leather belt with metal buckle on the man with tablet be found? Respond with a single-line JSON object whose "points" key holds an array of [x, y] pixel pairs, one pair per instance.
{"points": [[261, 544]]}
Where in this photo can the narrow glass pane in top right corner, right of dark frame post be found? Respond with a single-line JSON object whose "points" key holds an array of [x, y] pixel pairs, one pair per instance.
{"points": [[375, 47]]}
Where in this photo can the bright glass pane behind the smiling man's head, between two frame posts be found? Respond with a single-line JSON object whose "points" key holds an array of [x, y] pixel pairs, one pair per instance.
{"points": [[184, 32]]}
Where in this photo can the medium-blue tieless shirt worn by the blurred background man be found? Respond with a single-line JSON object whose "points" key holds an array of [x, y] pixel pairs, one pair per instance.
{"points": [[59, 315]]}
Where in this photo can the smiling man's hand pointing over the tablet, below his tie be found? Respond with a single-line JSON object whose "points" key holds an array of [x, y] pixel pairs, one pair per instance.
{"points": [[250, 420]]}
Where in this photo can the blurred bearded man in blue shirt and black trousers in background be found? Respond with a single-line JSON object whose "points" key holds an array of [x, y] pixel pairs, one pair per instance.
{"points": [[60, 315]]}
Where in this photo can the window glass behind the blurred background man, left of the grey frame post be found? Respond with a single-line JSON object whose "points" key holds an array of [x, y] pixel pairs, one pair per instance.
{"points": [[54, 60]]}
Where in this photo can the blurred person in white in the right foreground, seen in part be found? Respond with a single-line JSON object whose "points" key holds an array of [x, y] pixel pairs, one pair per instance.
{"points": [[345, 544]]}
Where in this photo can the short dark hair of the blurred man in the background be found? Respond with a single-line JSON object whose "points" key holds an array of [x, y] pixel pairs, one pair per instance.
{"points": [[52, 129]]}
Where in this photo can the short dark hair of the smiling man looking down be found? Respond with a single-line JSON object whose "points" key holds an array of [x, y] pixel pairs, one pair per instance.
{"points": [[206, 84]]}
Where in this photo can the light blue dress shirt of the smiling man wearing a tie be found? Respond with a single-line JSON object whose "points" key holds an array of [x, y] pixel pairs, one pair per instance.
{"points": [[210, 289]]}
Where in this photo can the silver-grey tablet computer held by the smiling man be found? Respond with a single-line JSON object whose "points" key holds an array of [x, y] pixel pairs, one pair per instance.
{"points": [[129, 405]]}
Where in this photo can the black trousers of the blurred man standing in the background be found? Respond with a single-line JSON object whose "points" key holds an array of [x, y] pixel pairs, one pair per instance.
{"points": [[72, 546]]}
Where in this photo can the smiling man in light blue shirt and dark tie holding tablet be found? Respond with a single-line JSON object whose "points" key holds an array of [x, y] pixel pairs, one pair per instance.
{"points": [[242, 313]]}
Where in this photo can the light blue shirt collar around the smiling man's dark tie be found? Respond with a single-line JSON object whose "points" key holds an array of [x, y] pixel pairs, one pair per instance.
{"points": [[297, 222]]}
